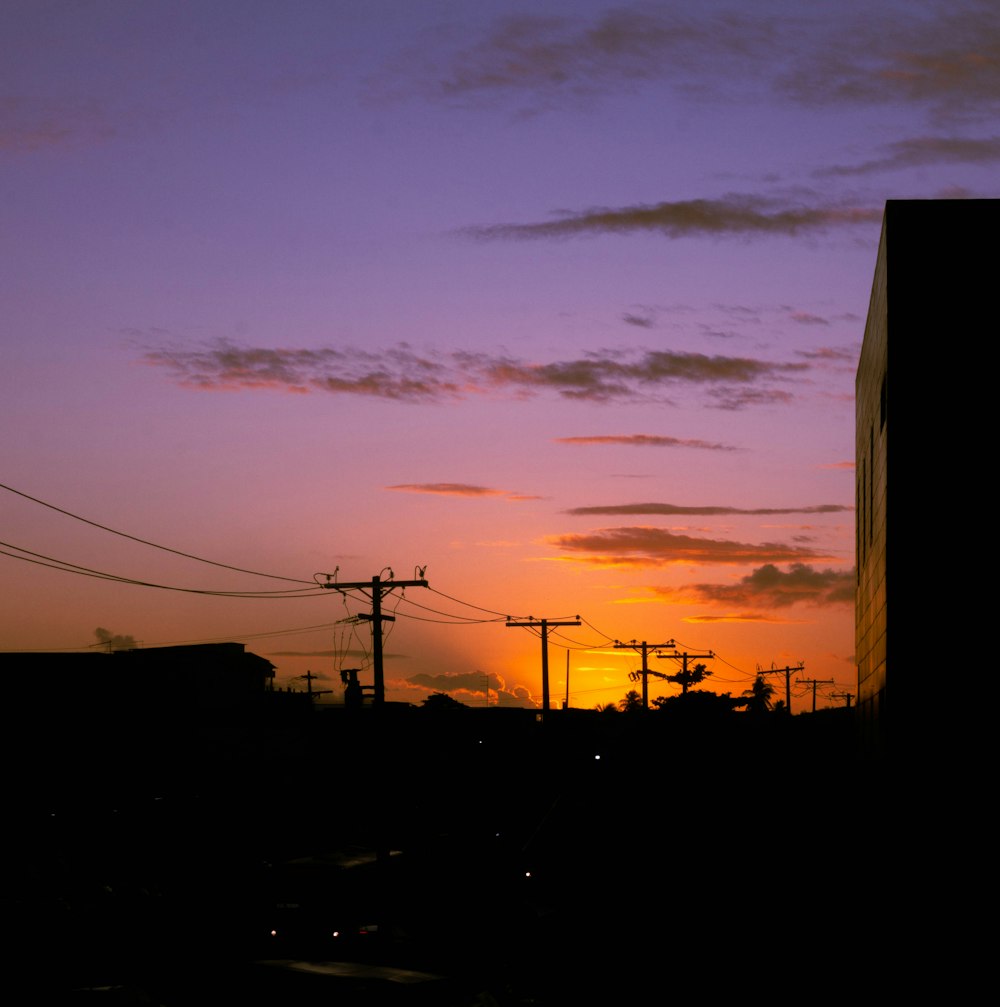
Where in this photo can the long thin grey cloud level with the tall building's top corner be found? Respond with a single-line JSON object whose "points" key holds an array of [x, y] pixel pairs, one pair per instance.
{"points": [[734, 215]]}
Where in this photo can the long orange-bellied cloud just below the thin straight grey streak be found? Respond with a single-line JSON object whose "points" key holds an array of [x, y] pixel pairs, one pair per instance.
{"points": [[654, 547]]}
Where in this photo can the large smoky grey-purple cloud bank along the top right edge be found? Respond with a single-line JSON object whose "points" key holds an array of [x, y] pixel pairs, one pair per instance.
{"points": [[941, 57]]}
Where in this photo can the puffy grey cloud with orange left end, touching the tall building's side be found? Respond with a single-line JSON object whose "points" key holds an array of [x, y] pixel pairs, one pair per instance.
{"points": [[769, 588]]}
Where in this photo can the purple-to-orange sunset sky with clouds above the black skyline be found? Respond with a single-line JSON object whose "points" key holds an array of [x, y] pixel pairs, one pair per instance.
{"points": [[560, 303]]}
